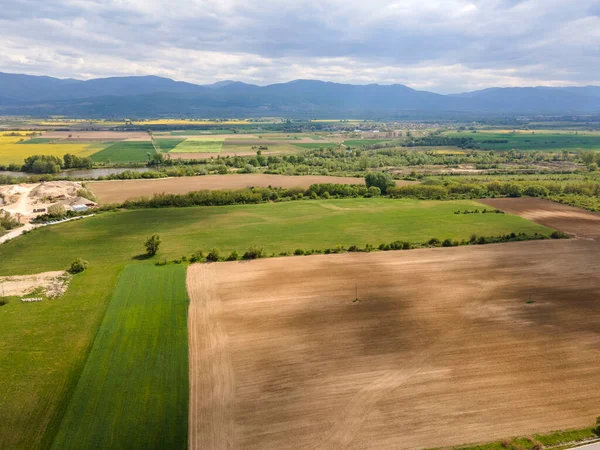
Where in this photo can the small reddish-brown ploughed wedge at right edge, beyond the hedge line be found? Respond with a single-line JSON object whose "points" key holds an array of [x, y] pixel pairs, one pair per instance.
{"points": [[574, 221]]}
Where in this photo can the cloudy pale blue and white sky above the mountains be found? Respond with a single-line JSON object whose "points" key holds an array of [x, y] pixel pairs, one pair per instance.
{"points": [[444, 46]]}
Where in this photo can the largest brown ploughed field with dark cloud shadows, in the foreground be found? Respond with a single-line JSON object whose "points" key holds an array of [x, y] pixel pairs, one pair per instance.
{"points": [[443, 347]]}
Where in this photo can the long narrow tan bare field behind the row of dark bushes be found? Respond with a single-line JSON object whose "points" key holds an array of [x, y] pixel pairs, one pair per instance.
{"points": [[121, 190]]}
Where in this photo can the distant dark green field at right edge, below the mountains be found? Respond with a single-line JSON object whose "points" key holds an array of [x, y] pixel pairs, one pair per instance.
{"points": [[533, 140]]}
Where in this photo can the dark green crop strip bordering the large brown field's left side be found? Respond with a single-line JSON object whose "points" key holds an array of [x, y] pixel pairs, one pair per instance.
{"points": [[133, 391]]}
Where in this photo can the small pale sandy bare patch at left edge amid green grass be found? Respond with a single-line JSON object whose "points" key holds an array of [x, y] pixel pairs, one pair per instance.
{"points": [[52, 284]]}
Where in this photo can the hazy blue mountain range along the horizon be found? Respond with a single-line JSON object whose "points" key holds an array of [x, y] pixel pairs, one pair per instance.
{"points": [[151, 96]]}
